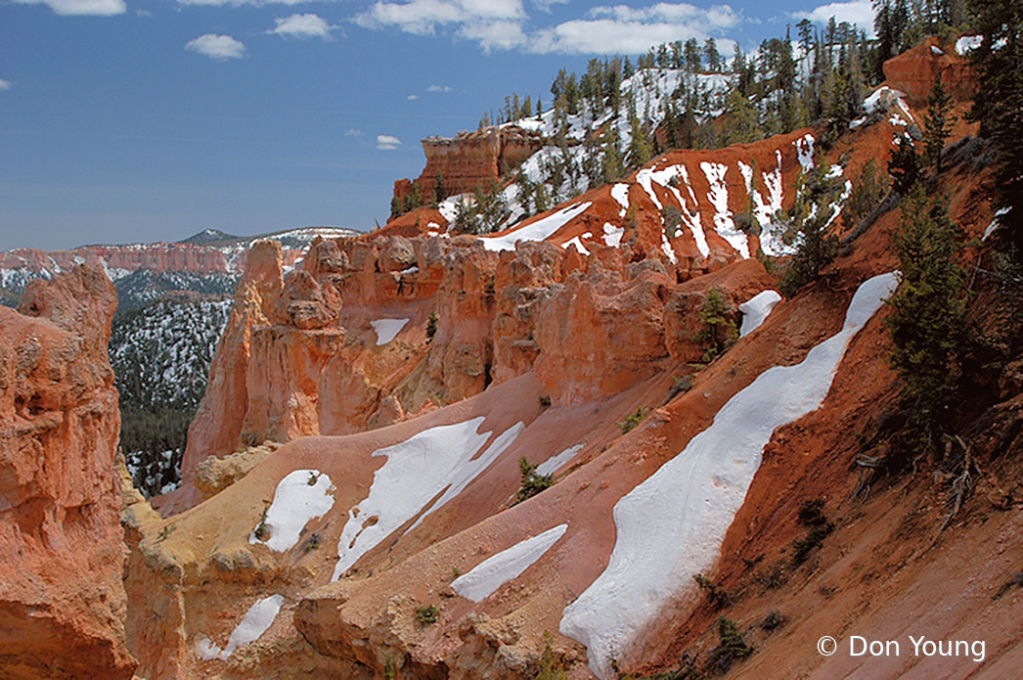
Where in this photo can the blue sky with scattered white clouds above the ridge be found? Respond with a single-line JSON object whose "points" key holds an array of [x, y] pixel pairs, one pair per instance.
{"points": [[127, 121]]}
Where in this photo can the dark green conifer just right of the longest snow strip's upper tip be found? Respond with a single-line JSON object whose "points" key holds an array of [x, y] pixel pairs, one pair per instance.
{"points": [[928, 321]]}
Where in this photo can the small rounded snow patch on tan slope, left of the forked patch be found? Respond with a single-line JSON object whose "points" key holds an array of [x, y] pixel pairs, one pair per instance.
{"points": [[296, 503]]}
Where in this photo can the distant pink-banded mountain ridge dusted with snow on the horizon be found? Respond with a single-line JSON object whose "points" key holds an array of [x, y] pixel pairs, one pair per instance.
{"points": [[209, 263]]}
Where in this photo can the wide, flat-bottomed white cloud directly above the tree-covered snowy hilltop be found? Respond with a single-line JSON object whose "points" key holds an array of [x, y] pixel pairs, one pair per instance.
{"points": [[633, 31]]}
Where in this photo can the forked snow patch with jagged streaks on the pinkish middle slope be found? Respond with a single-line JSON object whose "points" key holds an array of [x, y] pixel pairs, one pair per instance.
{"points": [[434, 462]]}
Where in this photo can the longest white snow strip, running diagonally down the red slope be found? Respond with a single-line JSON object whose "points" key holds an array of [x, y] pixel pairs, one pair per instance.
{"points": [[672, 526]]}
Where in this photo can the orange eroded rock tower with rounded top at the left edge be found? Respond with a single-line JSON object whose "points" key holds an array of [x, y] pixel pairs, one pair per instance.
{"points": [[62, 600]]}
